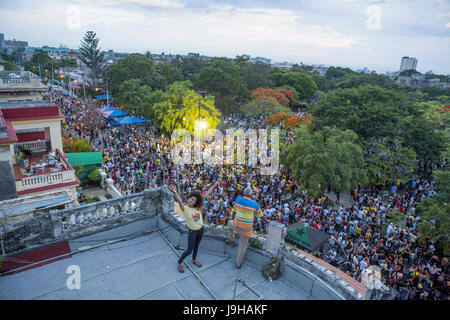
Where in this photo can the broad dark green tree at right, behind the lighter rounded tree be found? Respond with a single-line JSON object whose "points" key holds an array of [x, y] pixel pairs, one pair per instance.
{"points": [[375, 112]]}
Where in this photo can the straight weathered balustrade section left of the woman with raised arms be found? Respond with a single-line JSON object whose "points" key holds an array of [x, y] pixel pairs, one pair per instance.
{"points": [[56, 225]]}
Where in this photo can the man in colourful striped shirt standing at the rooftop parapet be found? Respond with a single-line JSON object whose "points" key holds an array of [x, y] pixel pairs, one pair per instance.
{"points": [[244, 212]]}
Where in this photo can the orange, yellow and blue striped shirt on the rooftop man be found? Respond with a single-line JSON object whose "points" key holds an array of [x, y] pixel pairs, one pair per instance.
{"points": [[245, 212]]}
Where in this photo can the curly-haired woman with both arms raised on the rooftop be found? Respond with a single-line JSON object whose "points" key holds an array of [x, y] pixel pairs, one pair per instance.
{"points": [[193, 214]]}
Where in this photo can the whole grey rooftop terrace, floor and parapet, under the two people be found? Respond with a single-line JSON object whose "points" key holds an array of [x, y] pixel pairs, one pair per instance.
{"points": [[127, 249]]}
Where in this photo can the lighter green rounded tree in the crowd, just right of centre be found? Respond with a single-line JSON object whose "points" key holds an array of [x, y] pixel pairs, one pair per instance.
{"points": [[330, 157]]}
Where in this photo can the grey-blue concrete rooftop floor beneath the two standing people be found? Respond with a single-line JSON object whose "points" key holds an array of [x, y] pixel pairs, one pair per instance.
{"points": [[144, 268]]}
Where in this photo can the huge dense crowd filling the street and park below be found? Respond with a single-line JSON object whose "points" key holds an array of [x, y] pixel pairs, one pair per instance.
{"points": [[139, 158]]}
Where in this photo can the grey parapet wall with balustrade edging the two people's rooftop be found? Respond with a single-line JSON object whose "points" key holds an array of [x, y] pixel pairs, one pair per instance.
{"points": [[153, 211]]}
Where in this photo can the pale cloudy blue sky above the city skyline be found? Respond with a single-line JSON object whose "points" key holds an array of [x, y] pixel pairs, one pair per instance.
{"points": [[354, 33]]}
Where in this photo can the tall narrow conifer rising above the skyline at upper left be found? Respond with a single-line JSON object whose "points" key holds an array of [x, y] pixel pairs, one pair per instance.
{"points": [[91, 55]]}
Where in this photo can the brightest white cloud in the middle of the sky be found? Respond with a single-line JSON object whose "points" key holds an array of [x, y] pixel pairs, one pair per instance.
{"points": [[266, 26]]}
